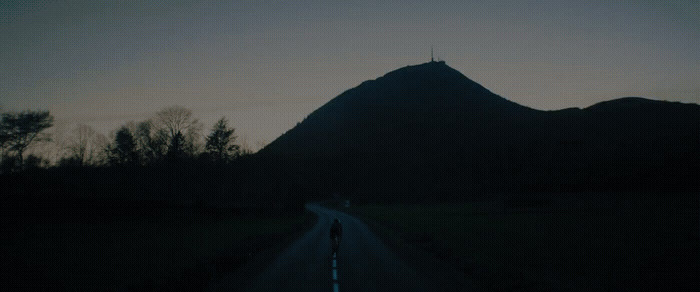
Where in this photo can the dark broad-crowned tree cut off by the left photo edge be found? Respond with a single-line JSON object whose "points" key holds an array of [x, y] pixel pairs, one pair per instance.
{"points": [[19, 130]]}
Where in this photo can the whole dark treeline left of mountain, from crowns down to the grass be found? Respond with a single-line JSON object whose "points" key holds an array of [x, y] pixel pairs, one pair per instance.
{"points": [[162, 160]]}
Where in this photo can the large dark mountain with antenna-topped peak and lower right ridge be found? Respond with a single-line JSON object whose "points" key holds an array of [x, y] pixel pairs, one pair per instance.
{"points": [[428, 130]]}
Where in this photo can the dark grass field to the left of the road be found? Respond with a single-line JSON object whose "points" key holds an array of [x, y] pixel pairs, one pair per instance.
{"points": [[159, 250]]}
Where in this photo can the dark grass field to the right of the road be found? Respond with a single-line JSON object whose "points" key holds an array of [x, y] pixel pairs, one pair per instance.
{"points": [[630, 243]]}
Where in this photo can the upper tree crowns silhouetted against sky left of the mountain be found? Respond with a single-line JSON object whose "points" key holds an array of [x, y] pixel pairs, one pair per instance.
{"points": [[173, 133]]}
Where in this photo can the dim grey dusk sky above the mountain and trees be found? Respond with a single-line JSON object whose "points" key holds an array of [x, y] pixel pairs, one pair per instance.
{"points": [[265, 65]]}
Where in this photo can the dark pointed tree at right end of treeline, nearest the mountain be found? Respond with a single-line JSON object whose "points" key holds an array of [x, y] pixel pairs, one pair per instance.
{"points": [[220, 144]]}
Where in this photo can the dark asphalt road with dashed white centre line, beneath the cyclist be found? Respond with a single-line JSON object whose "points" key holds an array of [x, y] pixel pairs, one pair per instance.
{"points": [[363, 263]]}
